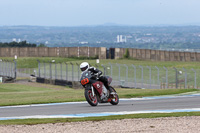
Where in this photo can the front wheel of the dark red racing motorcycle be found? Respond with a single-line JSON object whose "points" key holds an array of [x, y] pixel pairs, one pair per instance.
{"points": [[92, 100]]}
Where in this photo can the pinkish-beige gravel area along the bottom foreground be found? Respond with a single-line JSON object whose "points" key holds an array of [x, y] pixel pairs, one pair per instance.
{"points": [[156, 125]]}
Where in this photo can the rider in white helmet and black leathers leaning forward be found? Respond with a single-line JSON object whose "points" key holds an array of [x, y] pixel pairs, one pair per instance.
{"points": [[86, 67]]}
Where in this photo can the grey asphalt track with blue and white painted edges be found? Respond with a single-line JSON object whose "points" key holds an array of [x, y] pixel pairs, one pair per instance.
{"points": [[181, 103]]}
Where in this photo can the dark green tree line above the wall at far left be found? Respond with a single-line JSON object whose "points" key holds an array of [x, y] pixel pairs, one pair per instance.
{"points": [[20, 44]]}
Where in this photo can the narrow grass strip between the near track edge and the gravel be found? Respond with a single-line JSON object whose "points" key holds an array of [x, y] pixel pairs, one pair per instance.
{"points": [[116, 117]]}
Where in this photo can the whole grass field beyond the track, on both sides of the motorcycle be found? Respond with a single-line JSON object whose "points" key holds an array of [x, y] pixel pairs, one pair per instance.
{"points": [[35, 93]]}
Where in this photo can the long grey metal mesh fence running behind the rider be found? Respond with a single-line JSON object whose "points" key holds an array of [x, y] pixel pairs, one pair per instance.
{"points": [[126, 75]]}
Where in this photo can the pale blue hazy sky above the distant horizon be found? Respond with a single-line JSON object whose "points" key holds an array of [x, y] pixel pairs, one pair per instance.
{"points": [[99, 12]]}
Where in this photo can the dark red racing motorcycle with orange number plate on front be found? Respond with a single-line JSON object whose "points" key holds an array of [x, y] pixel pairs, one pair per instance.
{"points": [[96, 92]]}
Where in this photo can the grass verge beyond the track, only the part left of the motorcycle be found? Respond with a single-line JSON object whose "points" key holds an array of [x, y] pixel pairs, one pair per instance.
{"points": [[35, 93]]}
